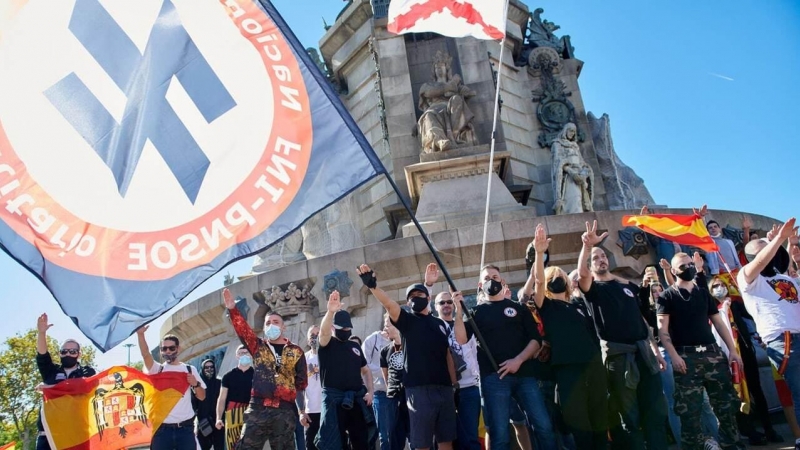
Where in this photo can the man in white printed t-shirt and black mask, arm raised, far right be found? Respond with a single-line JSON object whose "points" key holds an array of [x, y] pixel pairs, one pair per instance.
{"points": [[772, 299]]}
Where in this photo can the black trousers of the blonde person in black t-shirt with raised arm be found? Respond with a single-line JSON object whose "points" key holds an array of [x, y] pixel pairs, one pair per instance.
{"points": [[582, 394]]}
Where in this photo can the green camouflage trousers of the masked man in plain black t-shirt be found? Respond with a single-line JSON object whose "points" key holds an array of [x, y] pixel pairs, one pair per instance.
{"points": [[708, 370]]}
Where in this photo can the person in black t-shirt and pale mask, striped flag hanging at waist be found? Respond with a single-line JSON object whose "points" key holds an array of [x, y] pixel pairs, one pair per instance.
{"points": [[234, 395]]}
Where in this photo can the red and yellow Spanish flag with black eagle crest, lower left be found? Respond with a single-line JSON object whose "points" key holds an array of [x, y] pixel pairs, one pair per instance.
{"points": [[115, 409]]}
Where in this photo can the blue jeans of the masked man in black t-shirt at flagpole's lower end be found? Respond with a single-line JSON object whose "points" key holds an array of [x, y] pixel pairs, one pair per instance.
{"points": [[497, 395]]}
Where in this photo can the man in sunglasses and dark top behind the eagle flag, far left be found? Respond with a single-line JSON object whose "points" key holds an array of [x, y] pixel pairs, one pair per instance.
{"points": [[53, 373]]}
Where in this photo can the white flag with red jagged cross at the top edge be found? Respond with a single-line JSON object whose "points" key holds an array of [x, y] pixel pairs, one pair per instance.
{"points": [[482, 19]]}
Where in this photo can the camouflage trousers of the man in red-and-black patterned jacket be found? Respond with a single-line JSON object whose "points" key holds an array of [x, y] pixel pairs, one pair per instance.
{"points": [[262, 424]]}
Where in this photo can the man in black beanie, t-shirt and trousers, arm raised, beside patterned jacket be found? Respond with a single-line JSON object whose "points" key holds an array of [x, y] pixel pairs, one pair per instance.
{"points": [[346, 384]]}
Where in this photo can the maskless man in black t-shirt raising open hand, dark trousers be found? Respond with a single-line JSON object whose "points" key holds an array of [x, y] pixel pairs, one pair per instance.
{"points": [[629, 351]]}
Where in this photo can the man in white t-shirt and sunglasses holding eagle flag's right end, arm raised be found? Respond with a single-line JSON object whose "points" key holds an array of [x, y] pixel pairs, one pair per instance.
{"points": [[177, 430]]}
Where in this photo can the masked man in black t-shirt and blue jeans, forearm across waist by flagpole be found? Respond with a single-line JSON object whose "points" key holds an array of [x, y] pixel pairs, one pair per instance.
{"points": [[512, 338]]}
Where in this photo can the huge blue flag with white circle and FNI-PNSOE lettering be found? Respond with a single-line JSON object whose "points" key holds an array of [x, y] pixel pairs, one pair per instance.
{"points": [[145, 145]]}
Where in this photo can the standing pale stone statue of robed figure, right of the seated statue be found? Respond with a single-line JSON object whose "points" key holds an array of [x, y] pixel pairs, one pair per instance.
{"points": [[573, 179]]}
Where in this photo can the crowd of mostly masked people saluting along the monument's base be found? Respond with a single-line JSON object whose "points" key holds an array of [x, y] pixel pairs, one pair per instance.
{"points": [[581, 360]]}
